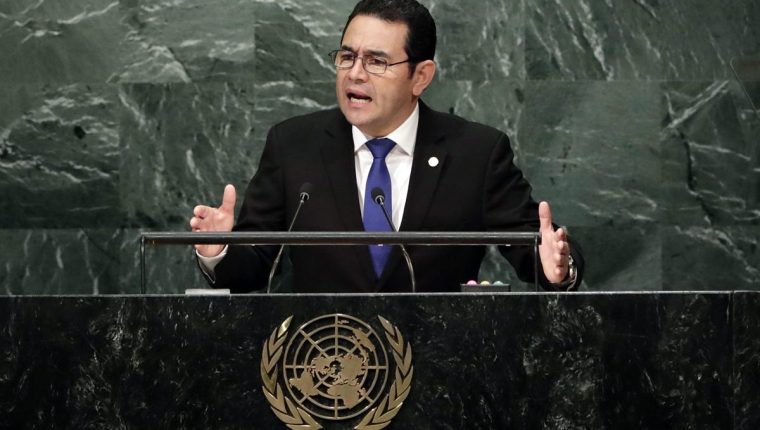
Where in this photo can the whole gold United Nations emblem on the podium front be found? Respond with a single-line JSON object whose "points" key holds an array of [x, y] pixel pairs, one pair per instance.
{"points": [[336, 367]]}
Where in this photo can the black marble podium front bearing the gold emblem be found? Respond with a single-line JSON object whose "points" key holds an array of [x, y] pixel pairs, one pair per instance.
{"points": [[471, 361]]}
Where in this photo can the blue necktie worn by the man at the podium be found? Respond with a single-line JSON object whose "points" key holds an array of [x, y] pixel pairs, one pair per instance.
{"points": [[374, 219]]}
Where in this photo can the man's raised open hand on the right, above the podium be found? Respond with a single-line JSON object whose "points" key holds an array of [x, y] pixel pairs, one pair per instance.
{"points": [[554, 249]]}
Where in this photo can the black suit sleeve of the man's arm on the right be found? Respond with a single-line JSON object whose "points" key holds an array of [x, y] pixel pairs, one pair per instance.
{"points": [[509, 206]]}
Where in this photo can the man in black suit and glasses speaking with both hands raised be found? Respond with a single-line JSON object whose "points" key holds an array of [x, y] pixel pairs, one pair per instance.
{"points": [[438, 172]]}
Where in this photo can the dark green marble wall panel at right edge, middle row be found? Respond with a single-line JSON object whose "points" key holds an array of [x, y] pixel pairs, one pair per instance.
{"points": [[710, 155]]}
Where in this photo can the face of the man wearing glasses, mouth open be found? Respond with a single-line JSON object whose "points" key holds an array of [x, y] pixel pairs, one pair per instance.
{"points": [[376, 104]]}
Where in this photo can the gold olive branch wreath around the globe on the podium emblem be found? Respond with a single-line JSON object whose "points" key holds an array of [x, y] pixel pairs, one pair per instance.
{"points": [[297, 418]]}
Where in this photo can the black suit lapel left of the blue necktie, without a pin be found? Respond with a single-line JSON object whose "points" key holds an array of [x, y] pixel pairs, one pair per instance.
{"points": [[338, 158]]}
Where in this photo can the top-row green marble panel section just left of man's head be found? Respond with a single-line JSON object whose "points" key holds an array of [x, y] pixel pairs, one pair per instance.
{"points": [[293, 39]]}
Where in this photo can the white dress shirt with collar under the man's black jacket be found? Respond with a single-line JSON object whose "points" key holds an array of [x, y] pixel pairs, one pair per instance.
{"points": [[399, 162]]}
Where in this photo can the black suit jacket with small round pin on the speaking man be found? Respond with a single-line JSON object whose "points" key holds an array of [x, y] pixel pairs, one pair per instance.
{"points": [[475, 187]]}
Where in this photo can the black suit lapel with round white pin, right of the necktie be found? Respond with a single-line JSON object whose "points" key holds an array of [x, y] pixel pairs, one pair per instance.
{"points": [[423, 180]]}
